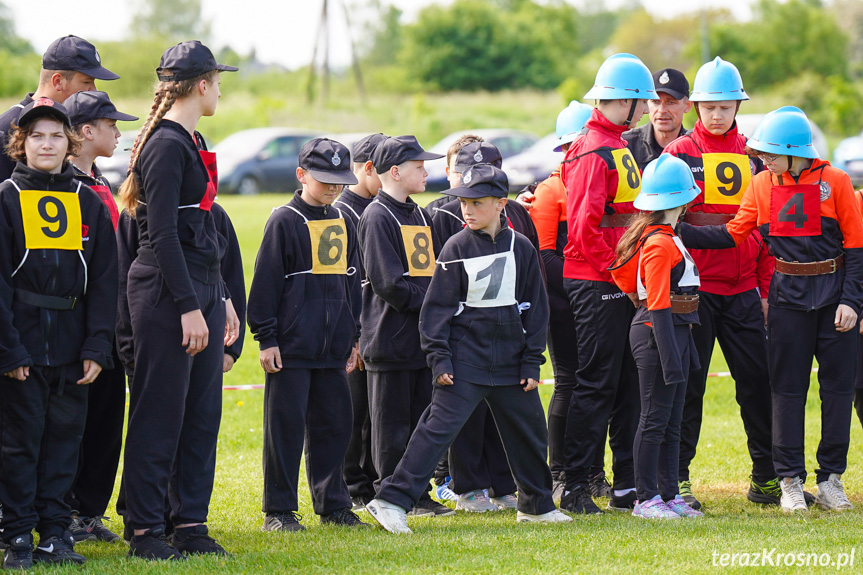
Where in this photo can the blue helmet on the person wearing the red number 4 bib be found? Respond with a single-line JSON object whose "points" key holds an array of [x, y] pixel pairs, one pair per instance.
{"points": [[786, 132]]}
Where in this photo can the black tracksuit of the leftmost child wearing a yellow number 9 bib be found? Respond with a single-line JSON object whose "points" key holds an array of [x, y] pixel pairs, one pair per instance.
{"points": [[42, 326]]}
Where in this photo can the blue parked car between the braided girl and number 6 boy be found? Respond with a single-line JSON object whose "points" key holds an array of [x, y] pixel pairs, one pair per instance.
{"points": [[260, 160]]}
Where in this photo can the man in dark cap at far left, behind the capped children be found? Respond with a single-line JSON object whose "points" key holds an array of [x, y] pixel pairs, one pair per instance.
{"points": [[69, 65]]}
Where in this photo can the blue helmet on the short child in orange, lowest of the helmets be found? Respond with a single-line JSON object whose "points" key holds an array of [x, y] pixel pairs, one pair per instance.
{"points": [[667, 183]]}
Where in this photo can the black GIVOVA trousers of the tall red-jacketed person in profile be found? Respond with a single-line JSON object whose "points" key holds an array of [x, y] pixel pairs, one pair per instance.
{"points": [[605, 395]]}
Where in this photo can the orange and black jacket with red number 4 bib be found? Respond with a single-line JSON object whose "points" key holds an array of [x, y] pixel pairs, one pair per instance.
{"points": [[805, 226]]}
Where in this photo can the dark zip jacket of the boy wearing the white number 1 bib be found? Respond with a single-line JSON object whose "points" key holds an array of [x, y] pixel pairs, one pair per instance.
{"points": [[485, 345]]}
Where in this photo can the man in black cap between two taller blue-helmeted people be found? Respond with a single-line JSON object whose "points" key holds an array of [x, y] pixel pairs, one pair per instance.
{"points": [[666, 117]]}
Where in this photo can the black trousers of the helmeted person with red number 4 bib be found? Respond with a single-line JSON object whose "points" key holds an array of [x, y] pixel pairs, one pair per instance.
{"points": [[795, 337]]}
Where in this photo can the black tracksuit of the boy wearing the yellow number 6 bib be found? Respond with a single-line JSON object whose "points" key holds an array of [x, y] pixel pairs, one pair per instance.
{"points": [[313, 319]]}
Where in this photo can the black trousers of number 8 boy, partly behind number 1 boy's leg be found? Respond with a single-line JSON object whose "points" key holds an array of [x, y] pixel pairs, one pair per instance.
{"points": [[397, 400]]}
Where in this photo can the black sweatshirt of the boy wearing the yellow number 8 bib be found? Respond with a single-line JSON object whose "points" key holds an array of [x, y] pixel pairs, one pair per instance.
{"points": [[391, 299]]}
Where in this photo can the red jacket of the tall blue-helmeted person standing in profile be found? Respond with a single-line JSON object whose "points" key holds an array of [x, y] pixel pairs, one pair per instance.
{"points": [[591, 178]]}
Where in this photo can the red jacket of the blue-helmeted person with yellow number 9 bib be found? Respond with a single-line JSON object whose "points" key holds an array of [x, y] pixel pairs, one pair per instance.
{"points": [[727, 272]]}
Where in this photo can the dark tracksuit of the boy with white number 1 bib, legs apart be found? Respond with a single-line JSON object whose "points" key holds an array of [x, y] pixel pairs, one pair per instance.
{"points": [[488, 350]]}
